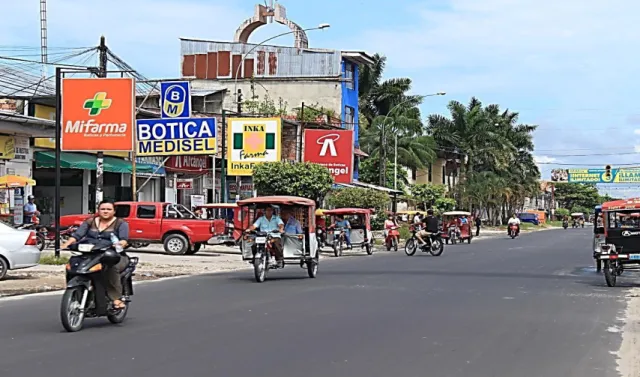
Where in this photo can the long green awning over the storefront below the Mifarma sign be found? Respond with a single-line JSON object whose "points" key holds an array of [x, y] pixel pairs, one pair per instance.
{"points": [[47, 159]]}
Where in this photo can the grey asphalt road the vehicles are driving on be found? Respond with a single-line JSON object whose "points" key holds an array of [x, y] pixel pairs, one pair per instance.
{"points": [[528, 307]]}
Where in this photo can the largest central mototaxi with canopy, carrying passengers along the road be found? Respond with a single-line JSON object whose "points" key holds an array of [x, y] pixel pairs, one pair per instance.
{"points": [[257, 247]]}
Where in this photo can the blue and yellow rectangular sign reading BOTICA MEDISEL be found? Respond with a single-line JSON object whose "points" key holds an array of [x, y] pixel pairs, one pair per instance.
{"points": [[175, 137]]}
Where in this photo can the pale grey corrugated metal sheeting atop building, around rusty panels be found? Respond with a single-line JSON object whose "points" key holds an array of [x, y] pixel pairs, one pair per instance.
{"points": [[290, 61]]}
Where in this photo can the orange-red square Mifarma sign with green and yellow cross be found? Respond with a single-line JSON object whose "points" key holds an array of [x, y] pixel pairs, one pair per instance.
{"points": [[97, 114]]}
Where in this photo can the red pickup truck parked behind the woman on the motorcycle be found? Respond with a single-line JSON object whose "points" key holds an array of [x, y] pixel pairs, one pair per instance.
{"points": [[173, 225]]}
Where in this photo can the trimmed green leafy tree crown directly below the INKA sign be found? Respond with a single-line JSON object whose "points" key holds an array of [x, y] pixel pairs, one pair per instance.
{"points": [[304, 179]]}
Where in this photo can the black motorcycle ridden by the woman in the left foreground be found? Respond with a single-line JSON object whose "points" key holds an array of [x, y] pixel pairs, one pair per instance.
{"points": [[86, 293]]}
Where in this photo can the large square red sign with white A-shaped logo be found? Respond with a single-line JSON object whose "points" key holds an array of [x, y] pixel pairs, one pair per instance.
{"points": [[333, 149]]}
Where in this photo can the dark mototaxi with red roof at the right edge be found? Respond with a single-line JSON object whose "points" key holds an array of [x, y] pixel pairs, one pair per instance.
{"points": [[621, 247]]}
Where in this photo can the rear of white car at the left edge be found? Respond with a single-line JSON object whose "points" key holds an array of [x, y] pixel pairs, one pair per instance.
{"points": [[18, 249]]}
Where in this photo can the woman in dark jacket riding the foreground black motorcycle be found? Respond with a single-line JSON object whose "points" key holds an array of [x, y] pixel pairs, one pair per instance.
{"points": [[98, 231]]}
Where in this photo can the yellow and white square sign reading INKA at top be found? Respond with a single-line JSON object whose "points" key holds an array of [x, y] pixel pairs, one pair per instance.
{"points": [[252, 141]]}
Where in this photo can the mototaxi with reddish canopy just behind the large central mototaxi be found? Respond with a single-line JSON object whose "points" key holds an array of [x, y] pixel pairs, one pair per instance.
{"points": [[360, 232]]}
